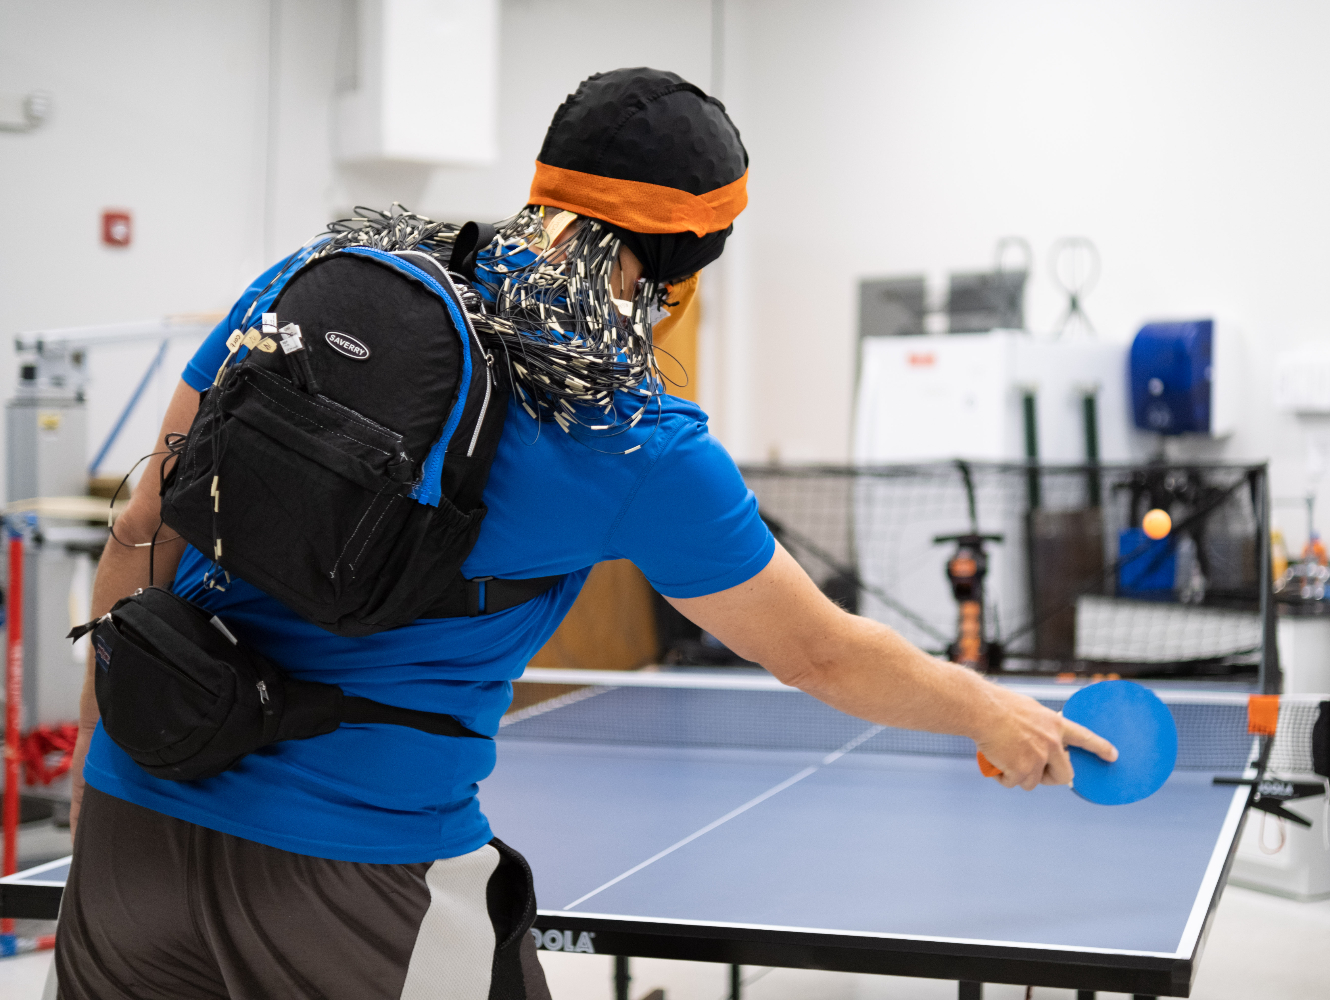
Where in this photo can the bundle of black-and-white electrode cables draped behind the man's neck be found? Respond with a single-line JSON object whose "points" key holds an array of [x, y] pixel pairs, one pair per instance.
{"points": [[570, 345]]}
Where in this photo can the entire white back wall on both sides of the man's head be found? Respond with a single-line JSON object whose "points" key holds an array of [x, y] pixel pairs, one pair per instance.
{"points": [[1186, 138]]}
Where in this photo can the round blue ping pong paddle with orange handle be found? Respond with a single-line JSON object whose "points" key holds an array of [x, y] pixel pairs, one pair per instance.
{"points": [[1135, 721]]}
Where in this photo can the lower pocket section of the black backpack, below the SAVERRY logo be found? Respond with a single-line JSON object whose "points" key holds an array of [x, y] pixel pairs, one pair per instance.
{"points": [[273, 470]]}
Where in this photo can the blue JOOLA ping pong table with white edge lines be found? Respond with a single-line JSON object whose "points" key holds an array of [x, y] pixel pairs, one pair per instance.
{"points": [[723, 817]]}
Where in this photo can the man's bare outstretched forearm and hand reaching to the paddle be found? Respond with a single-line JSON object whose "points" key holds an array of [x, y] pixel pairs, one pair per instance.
{"points": [[781, 620]]}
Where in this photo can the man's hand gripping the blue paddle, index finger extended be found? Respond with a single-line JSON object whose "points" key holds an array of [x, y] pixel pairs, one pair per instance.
{"points": [[1027, 741]]}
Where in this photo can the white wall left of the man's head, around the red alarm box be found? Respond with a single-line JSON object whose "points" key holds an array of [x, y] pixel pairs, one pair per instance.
{"points": [[212, 123]]}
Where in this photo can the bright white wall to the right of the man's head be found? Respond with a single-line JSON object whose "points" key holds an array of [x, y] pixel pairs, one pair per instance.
{"points": [[1188, 139]]}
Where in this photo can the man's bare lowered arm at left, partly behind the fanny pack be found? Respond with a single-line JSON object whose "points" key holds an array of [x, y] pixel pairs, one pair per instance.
{"points": [[123, 567]]}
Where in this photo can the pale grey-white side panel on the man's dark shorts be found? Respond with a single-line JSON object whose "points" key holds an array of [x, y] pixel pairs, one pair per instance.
{"points": [[456, 947]]}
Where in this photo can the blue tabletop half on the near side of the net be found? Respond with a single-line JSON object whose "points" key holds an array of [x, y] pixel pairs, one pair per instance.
{"points": [[870, 842]]}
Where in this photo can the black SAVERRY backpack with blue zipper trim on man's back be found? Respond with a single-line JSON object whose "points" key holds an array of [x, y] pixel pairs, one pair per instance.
{"points": [[340, 466]]}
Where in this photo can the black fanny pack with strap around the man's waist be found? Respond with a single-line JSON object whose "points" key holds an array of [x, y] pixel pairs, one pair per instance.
{"points": [[187, 700]]}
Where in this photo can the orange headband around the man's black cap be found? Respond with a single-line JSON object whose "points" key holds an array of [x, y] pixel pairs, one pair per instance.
{"points": [[639, 207]]}
